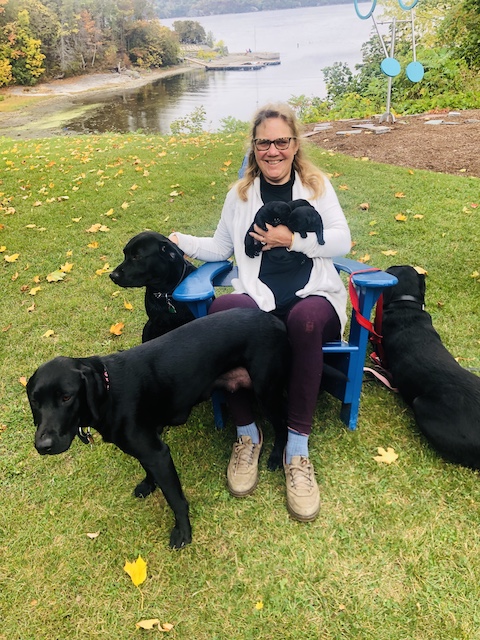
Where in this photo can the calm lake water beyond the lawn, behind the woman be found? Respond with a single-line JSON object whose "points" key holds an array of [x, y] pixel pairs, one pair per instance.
{"points": [[307, 39]]}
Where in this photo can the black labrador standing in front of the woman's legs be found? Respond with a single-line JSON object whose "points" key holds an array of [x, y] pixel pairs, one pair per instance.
{"points": [[130, 396]]}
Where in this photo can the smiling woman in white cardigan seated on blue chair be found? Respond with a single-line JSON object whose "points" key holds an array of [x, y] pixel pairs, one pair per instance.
{"points": [[294, 278]]}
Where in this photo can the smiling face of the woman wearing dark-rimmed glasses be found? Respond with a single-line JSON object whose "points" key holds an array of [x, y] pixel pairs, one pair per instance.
{"points": [[275, 165]]}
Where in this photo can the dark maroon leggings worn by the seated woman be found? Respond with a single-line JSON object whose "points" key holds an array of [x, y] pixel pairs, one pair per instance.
{"points": [[310, 323]]}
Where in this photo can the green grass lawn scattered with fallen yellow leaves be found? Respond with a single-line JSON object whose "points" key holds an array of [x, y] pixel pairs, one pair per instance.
{"points": [[394, 552]]}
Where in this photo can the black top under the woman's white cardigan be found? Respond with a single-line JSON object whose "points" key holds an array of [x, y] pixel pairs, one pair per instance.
{"points": [[284, 272]]}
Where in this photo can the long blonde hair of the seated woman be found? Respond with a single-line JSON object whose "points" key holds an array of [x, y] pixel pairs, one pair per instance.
{"points": [[309, 174]]}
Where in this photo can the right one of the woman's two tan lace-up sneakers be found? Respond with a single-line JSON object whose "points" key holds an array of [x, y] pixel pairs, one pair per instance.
{"points": [[303, 496]]}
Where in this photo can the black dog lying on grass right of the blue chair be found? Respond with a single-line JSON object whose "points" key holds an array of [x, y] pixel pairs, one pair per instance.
{"points": [[445, 398]]}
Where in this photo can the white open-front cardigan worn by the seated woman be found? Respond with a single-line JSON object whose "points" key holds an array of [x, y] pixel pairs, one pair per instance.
{"points": [[229, 236]]}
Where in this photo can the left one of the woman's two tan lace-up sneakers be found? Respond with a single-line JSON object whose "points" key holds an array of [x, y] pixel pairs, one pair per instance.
{"points": [[242, 471]]}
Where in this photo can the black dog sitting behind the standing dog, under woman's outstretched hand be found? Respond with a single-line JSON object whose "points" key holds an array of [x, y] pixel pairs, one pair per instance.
{"points": [[154, 262]]}
